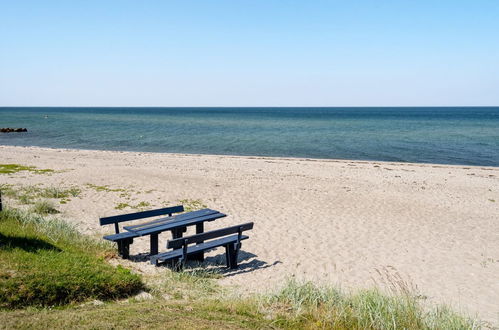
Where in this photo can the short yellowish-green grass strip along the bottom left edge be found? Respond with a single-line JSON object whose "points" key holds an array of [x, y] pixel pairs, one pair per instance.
{"points": [[153, 314]]}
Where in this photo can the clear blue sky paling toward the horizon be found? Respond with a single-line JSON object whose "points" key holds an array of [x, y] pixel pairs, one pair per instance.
{"points": [[249, 53]]}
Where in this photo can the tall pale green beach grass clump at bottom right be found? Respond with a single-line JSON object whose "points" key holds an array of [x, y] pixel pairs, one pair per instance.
{"points": [[304, 305]]}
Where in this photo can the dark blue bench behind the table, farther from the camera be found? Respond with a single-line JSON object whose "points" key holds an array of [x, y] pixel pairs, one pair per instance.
{"points": [[124, 239]]}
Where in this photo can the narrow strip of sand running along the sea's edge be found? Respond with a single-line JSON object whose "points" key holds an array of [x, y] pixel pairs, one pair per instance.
{"points": [[283, 158]]}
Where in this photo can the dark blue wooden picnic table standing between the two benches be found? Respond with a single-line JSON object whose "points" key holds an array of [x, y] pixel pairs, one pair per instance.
{"points": [[176, 224]]}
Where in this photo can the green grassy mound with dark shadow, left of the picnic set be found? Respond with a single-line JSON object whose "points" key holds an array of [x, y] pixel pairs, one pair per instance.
{"points": [[48, 263]]}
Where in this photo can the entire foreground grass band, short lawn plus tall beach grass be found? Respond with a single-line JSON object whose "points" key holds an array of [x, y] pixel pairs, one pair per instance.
{"points": [[296, 306]]}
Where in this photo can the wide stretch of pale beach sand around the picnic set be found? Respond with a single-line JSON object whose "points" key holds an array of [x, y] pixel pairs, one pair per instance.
{"points": [[334, 222]]}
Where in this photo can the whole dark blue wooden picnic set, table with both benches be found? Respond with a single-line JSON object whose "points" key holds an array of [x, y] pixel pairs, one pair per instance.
{"points": [[192, 247]]}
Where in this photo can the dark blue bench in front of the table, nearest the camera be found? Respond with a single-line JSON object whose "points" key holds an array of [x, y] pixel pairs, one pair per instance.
{"points": [[189, 246]]}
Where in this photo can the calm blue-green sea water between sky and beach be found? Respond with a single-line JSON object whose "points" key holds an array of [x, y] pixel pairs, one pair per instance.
{"points": [[468, 135]]}
